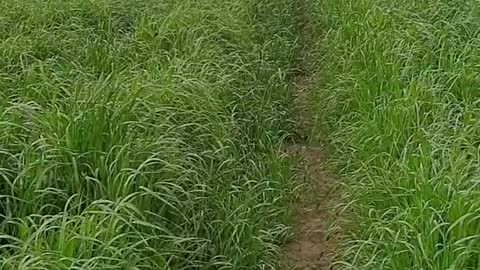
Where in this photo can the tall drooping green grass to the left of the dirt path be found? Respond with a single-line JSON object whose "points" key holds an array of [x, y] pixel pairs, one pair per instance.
{"points": [[144, 134]]}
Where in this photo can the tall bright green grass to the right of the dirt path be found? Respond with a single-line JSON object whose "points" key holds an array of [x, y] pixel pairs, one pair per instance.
{"points": [[399, 98]]}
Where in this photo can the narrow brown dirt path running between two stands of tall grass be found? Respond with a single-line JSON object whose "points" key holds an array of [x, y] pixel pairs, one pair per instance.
{"points": [[316, 232]]}
